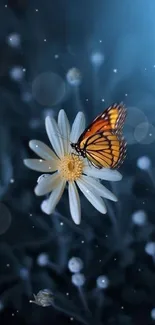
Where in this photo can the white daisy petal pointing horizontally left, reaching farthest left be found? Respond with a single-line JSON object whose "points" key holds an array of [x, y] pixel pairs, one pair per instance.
{"points": [[41, 165]]}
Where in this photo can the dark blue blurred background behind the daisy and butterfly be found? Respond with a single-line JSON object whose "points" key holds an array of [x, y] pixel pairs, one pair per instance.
{"points": [[57, 36]]}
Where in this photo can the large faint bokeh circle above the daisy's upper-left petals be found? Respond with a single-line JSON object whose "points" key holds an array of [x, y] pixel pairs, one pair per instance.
{"points": [[48, 89]]}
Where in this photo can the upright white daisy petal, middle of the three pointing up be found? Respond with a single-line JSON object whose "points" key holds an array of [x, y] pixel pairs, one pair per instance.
{"points": [[64, 127]]}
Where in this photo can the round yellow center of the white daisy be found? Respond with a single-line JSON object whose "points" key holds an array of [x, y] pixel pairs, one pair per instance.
{"points": [[70, 167]]}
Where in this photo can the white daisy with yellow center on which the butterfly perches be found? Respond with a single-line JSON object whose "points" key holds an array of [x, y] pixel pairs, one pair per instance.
{"points": [[66, 168]]}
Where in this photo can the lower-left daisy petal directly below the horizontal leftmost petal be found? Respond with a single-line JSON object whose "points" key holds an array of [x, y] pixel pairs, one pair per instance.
{"points": [[47, 184]]}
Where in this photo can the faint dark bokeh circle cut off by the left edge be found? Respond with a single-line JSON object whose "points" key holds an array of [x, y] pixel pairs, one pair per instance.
{"points": [[5, 218]]}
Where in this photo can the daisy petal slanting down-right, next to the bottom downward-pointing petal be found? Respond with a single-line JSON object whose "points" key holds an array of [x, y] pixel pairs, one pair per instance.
{"points": [[93, 198]]}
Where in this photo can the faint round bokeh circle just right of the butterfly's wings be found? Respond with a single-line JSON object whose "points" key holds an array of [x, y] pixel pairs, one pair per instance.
{"points": [[135, 117]]}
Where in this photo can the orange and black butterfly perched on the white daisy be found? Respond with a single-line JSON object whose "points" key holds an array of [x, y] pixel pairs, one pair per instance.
{"points": [[102, 142]]}
